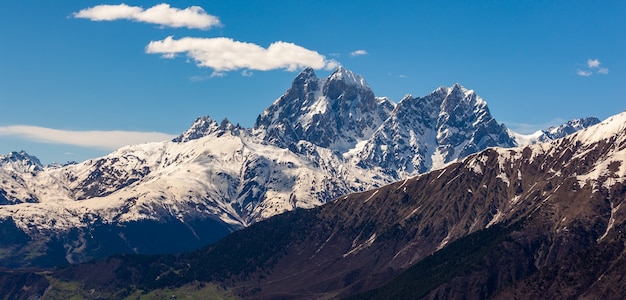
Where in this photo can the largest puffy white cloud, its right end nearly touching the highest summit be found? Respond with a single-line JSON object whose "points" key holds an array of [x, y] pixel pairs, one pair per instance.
{"points": [[225, 54]]}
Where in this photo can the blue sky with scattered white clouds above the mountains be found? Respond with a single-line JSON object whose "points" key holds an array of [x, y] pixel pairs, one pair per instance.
{"points": [[81, 78]]}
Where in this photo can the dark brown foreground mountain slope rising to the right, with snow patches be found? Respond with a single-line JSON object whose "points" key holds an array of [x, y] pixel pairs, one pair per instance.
{"points": [[538, 221]]}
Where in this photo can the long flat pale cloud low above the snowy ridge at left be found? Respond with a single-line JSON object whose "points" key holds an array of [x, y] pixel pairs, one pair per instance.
{"points": [[108, 140]]}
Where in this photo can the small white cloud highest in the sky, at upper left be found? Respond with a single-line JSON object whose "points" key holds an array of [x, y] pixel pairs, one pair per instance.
{"points": [[161, 14]]}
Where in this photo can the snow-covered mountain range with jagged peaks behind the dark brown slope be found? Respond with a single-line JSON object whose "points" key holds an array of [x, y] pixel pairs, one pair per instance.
{"points": [[323, 139]]}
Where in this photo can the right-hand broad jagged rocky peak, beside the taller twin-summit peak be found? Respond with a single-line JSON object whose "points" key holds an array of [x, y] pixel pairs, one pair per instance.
{"points": [[426, 133]]}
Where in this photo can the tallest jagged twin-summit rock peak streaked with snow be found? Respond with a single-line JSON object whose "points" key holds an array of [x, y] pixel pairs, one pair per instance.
{"points": [[333, 113]]}
